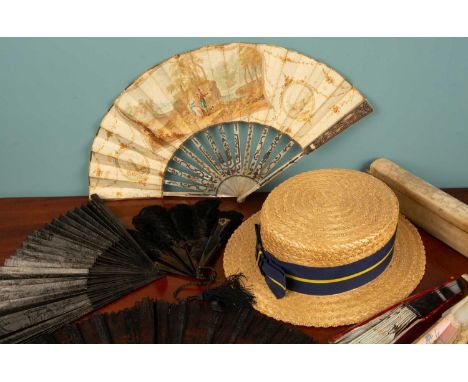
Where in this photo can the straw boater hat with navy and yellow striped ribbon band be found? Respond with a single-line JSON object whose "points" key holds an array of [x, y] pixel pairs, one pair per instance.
{"points": [[328, 248]]}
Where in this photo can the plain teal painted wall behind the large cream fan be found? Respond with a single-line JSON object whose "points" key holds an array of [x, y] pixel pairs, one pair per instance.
{"points": [[53, 93]]}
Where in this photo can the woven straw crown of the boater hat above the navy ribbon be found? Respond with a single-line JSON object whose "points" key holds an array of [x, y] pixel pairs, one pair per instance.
{"points": [[328, 217]]}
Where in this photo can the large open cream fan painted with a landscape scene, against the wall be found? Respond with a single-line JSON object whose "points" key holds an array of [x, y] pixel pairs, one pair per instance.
{"points": [[219, 121]]}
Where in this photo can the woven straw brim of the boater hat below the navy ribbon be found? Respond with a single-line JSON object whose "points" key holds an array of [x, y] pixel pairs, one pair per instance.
{"points": [[398, 280]]}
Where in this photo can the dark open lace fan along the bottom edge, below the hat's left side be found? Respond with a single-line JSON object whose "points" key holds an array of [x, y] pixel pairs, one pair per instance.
{"points": [[214, 318]]}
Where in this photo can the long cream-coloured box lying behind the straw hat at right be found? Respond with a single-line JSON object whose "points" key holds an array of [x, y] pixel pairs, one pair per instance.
{"points": [[440, 214]]}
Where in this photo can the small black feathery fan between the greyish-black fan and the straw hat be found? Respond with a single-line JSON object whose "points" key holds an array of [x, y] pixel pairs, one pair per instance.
{"points": [[184, 239]]}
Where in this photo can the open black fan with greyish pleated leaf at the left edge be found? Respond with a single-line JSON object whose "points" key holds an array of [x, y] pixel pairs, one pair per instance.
{"points": [[77, 263]]}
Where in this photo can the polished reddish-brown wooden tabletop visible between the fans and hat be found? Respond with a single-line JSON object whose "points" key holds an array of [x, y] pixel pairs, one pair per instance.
{"points": [[20, 216]]}
